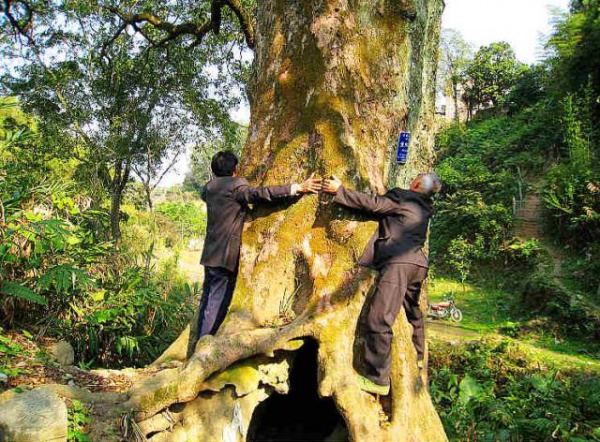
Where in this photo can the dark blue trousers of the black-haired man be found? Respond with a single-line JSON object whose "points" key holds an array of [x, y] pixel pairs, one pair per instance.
{"points": [[217, 291]]}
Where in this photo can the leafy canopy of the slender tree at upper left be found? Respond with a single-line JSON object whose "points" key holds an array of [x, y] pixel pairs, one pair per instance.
{"points": [[111, 93]]}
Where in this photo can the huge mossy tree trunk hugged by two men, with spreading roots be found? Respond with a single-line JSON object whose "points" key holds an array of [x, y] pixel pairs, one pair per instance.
{"points": [[334, 83]]}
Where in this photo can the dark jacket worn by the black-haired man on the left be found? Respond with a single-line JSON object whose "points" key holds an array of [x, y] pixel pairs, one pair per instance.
{"points": [[227, 200]]}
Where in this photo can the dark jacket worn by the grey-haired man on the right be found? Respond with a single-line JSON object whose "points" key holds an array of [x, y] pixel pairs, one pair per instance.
{"points": [[403, 217]]}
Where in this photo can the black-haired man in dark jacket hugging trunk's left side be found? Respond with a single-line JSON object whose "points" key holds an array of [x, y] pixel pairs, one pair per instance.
{"points": [[227, 198]]}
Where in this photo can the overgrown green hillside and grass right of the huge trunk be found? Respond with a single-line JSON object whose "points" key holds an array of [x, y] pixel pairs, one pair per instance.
{"points": [[525, 367]]}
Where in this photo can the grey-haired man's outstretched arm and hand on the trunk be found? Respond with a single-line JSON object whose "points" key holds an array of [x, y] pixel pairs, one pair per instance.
{"points": [[378, 205]]}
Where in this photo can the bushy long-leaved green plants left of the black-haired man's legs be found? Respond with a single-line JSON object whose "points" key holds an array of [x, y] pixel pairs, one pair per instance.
{"points": [[130, 320]]}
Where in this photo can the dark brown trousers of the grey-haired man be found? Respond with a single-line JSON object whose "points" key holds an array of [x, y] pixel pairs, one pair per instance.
{"points": [[398, 285]]}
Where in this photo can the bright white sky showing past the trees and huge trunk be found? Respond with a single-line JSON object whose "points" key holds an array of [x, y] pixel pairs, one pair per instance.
{"points": [[521, 23]]}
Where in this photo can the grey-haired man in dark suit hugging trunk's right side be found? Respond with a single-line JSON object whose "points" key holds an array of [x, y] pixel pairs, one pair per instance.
{"points": [[396, 251]]}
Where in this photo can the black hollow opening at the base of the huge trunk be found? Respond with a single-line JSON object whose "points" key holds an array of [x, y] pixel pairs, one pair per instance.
{"points": [[301, 414]]}
